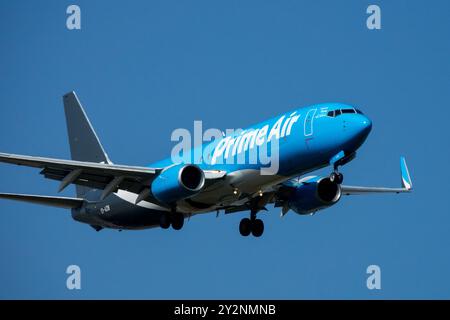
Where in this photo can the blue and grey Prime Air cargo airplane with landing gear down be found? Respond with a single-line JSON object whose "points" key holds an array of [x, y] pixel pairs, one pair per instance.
{"points": [[165, 193]]}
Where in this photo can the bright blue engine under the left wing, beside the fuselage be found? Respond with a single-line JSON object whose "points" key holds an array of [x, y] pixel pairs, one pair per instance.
{"points": [[177, 183]]}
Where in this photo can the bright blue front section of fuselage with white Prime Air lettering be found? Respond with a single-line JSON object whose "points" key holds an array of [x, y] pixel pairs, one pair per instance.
{"points": [[307, 139]]}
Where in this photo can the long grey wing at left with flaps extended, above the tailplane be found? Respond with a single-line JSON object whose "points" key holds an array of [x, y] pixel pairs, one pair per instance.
{"points": [[101, 176]]}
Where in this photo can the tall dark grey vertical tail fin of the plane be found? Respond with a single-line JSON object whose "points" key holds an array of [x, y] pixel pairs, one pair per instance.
{"points": [[84, 143]]}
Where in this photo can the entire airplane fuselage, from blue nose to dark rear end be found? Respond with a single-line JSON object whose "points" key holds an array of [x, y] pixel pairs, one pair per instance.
{"points": [[306, 139]]}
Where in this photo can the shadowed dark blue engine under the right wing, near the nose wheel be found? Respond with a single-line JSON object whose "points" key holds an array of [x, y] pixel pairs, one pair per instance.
{"points": [[314, 196]]}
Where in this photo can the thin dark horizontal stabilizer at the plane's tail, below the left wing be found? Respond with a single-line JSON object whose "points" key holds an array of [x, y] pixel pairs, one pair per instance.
{"points": [[61, 202]]}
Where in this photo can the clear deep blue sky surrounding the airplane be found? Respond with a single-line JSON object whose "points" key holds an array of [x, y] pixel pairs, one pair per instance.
{"points": [[144, 68]]}
